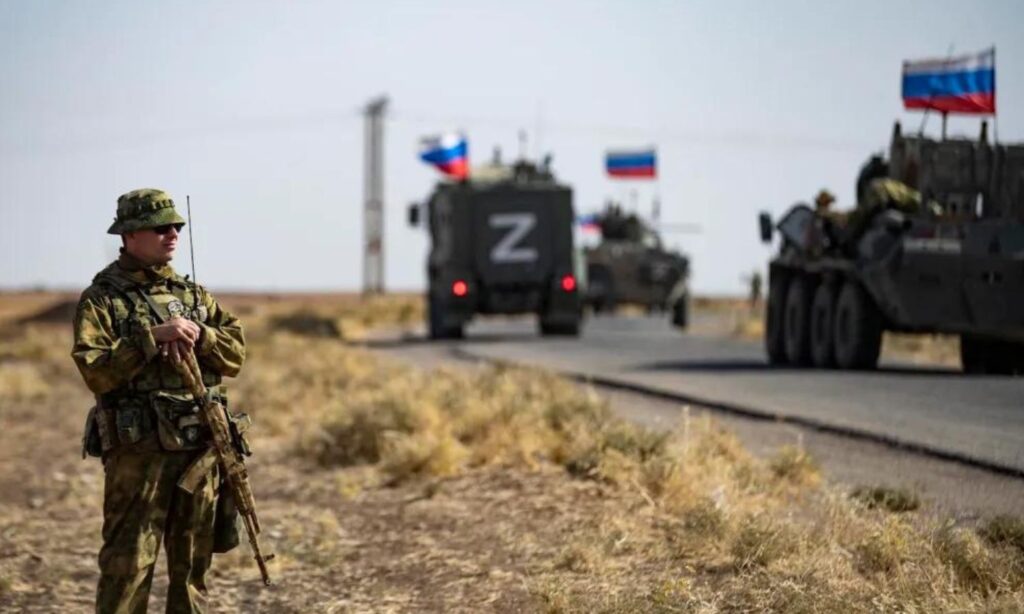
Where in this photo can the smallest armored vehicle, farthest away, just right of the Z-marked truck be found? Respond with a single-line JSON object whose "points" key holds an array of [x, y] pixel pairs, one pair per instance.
{"points": [[630, 266]]}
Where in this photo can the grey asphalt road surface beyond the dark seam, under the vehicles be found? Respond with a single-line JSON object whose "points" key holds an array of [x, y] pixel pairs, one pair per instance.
{"points": [[977, 418]]}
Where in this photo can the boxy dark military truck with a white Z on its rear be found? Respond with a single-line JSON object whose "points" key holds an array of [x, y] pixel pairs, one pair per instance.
{"points": [[501, 243]]}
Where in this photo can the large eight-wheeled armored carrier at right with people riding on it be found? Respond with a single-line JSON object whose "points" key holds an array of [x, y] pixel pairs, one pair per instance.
{"points": [[948, 256]]}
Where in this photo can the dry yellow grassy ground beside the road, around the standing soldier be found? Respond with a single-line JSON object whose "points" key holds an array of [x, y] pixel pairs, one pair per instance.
{"points": [[494, 489]]}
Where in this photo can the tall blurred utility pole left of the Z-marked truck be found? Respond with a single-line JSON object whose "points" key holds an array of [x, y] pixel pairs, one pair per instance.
{"points": [[373, 188]]}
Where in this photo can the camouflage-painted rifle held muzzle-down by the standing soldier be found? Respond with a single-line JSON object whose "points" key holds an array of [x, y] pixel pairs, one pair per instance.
{"points": [[229, 456]]}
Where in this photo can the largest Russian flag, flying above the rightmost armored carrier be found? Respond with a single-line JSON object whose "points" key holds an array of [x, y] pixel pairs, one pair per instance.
{"points": [[965, 84]]}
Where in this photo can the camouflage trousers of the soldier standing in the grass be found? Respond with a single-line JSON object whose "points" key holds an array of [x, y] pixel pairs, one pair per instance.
{"points": [[144, 506]]}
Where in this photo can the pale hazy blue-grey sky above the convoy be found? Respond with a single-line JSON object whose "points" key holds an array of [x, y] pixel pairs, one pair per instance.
{"points": [[253, 109]]}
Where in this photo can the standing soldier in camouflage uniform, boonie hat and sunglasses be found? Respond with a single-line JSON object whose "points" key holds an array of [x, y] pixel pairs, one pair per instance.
{"points": [[136, 318]]}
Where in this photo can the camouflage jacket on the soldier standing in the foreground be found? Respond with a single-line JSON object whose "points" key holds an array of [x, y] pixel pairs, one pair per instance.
{"points": [[114, 348]]}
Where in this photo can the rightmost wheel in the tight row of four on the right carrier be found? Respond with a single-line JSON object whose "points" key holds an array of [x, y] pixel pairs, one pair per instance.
{"points": [[858, 329]]}
